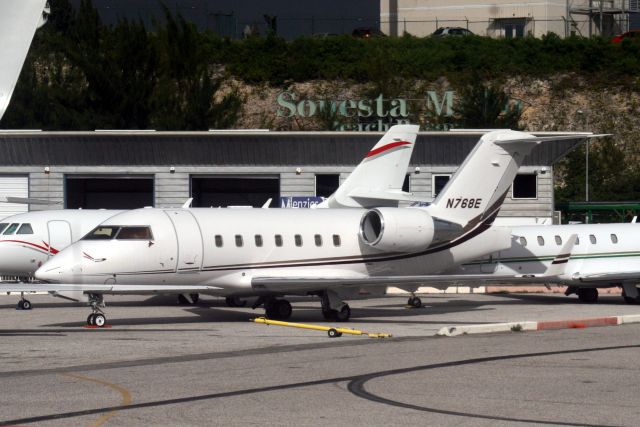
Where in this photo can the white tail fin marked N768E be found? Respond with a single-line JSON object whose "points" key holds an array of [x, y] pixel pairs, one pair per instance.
{"points": [[479, 186]]}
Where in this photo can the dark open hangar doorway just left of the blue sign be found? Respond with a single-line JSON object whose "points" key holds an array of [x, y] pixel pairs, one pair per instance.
{"points": [[235, 190]]}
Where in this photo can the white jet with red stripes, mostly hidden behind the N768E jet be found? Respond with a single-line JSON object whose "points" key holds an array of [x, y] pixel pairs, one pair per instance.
{"points": [[29, 239]]}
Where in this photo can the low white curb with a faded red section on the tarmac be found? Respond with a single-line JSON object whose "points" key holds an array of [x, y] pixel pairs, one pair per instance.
{"points": [[454, 331]]}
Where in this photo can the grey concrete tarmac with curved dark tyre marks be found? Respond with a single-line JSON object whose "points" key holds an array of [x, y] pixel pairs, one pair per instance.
{"points": [[163, 364]]}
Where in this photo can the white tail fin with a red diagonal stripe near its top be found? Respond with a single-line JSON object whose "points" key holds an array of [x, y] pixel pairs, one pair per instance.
{"points": [[377, 180]]}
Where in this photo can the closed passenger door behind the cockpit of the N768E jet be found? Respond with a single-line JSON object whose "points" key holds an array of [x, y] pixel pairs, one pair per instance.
{"points": [[189, 240]]}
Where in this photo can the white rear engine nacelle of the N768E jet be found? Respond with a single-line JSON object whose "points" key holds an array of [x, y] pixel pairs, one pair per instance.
{"points": [[397, 229]]}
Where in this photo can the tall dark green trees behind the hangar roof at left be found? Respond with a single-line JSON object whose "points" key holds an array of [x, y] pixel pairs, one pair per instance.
{"points": [[81, 74]]}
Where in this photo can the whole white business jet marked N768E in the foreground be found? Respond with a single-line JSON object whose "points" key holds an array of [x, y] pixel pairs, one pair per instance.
{"points": [[271, 253]]}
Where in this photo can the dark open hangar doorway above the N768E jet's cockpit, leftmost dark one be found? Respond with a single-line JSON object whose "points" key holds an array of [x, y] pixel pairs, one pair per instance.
{"points": [[108, 192]]}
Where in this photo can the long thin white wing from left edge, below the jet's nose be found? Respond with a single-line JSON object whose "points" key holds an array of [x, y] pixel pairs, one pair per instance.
{"points": [[103, 289]]}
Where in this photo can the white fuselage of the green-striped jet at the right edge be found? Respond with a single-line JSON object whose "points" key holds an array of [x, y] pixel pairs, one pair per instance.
{"points": [[605, 249]]}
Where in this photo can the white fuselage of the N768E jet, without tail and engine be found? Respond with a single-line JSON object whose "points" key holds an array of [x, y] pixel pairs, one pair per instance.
{"points": [[226, 248]]}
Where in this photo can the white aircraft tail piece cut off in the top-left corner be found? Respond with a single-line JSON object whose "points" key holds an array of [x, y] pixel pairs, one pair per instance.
{"points": [[19, 20]]}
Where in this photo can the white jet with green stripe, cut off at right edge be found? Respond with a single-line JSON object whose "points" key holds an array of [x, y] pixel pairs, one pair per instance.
{"points": [[584, 257]]}
